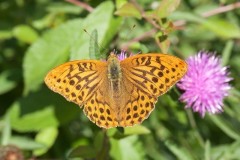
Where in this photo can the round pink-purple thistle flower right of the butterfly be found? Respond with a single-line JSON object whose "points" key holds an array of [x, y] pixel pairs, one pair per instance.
{"points": [[205, 84]]}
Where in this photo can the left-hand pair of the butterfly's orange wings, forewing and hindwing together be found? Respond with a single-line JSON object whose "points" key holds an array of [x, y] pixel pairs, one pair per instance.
{"points": [[84, 83]]}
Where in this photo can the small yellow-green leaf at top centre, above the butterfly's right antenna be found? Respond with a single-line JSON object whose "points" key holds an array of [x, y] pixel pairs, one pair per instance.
{"points": [[128, 10]]}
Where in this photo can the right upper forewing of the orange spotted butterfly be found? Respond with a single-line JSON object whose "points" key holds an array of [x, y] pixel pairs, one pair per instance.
{"points": [[153, 73]]}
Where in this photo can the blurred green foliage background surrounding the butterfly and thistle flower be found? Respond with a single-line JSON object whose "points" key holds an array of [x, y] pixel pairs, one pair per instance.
{"points": [[36, 36]]}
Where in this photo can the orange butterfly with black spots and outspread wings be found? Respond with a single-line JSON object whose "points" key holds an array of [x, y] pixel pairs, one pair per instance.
{"points": [[117, 93]]}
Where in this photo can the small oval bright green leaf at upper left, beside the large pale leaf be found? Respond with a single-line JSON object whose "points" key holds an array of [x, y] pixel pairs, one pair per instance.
{"points": [[25, 33]]}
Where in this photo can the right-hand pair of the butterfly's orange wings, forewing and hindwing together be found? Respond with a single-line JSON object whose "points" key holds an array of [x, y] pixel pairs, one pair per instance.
{"points": [[145, 77]]}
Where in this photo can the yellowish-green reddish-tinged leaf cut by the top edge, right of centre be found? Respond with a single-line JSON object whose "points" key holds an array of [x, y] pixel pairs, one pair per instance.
{"points": [[166, 7]]}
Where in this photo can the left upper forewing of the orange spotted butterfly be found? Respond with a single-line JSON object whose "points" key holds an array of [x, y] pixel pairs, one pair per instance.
{"points": [[77, 81]]}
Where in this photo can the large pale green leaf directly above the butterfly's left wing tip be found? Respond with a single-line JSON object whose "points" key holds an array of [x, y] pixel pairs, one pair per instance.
{"points": [[47, 52]]}
